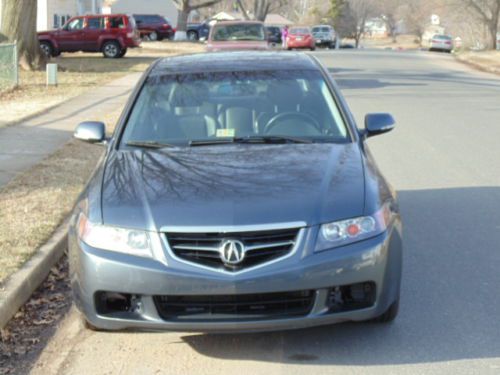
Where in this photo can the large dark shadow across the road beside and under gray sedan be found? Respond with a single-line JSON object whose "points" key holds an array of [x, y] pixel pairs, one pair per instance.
{"points": [[449, 306]]}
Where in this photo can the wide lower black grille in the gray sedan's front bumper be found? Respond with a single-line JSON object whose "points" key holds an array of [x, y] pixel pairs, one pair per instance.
{"points": [[235, 307]]}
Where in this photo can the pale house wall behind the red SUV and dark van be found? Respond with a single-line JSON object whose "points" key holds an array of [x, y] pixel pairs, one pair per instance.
{"points": [[165, 8]]}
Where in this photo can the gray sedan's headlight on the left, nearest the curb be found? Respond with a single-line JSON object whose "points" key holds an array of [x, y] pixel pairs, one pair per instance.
{"points": [[126, 241]]}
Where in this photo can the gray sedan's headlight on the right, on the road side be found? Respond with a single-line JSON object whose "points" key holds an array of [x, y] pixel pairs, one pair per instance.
{"points": [[340, 233]]}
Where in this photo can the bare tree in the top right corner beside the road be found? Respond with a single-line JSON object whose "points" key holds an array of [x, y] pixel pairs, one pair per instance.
{"points": [[486, 11]]}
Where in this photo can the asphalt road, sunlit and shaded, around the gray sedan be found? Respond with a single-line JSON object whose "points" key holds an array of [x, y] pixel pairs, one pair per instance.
{"points": [[444, 159]]}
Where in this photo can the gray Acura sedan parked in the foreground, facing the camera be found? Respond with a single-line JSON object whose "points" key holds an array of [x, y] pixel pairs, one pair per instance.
{"points": [[237, 194]]}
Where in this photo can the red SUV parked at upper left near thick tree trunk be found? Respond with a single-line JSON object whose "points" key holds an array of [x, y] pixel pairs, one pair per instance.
{"points": [[110, 34]]}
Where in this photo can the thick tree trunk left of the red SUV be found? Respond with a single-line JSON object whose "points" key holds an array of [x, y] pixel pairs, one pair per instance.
{"points": [[19, 24]]}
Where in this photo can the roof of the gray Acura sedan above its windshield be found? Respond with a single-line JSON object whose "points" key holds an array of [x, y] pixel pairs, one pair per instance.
{"points": [[241, 61]]}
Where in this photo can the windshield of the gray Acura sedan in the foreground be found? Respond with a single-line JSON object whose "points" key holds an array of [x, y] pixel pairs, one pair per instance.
{"points": [[177, 110]]}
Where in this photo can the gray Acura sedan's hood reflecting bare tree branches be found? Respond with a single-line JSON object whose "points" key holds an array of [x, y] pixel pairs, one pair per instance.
{"points": [[233, 185]]}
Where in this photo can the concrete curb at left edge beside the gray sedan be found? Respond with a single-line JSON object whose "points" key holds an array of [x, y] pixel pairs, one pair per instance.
{"points": [[21, 285]]}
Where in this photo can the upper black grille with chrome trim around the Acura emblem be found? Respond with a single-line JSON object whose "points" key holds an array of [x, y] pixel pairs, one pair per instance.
{"points": [[260, 247]]}
